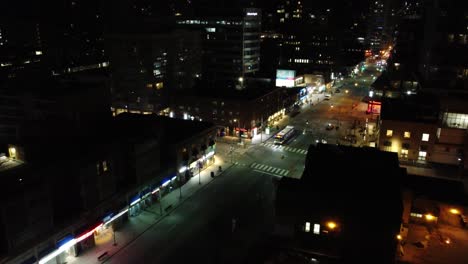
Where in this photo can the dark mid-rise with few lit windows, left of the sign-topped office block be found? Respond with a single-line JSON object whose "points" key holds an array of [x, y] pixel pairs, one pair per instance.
{"points": [[148, 67]]}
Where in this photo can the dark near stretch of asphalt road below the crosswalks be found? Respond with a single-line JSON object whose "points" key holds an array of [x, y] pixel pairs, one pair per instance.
{"points": [[200, 230]]}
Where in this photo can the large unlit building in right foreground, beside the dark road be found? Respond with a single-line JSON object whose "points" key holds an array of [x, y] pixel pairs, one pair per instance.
{"points": [[359, 188]]}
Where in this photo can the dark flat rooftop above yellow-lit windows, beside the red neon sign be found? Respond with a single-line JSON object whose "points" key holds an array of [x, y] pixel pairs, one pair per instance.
{"points": [[423, 108]]}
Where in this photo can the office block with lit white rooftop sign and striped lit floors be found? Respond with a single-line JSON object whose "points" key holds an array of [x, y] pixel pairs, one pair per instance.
{"points": [[230, 41]]}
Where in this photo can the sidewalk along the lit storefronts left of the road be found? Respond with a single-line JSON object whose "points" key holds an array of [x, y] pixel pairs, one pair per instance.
{"points": [[137, 225]]}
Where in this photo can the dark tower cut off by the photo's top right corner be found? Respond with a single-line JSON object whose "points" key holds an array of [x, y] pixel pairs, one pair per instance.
{"points": [[445, 43]]}
